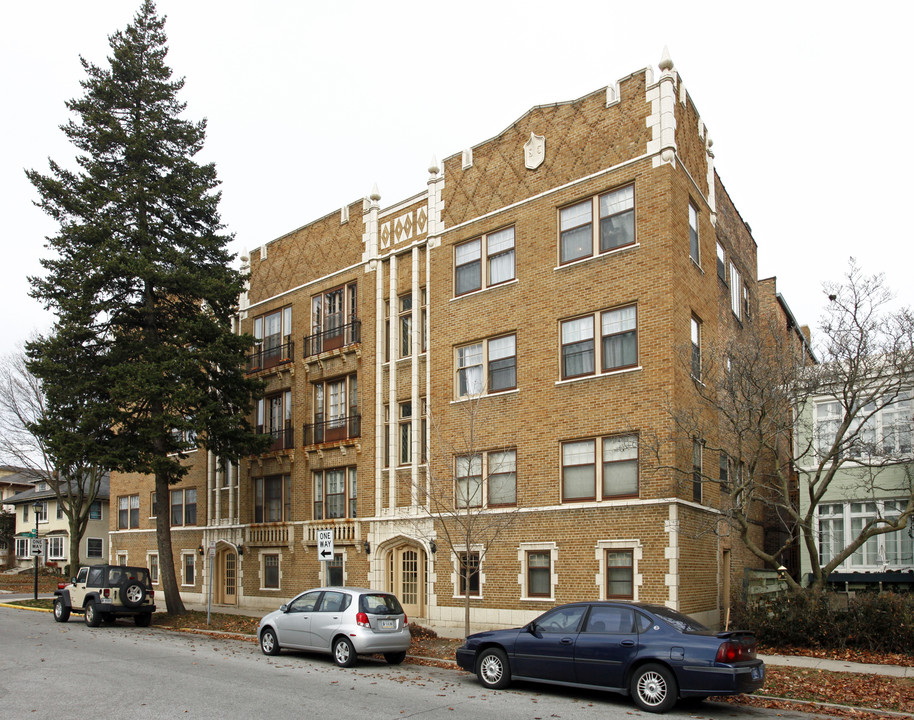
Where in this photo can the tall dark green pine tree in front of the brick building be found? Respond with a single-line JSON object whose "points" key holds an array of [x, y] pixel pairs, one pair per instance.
{"points": [[140, 279]]}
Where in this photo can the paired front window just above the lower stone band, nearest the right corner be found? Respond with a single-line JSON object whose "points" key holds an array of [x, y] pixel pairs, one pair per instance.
{"points": [[614, 458]]}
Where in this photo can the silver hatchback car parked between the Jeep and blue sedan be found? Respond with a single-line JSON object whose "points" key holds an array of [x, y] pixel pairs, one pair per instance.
{"points": [[342, 621]]}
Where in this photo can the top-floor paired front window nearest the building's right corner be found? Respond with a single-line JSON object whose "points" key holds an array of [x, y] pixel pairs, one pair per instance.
{"points": [[578, 238]]}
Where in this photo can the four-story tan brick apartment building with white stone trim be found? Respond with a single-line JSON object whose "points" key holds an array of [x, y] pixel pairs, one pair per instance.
{"points": [[536, 297]]}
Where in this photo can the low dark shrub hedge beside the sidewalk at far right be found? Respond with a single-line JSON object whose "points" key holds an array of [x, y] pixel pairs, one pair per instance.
{"points": [[880, 622]]}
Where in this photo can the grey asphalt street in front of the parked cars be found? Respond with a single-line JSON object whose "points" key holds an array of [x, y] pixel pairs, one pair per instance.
{"points": [[52, 670]]}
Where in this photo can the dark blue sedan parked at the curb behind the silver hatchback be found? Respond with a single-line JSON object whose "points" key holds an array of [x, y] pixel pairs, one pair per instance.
{"points": [[655, 654]]}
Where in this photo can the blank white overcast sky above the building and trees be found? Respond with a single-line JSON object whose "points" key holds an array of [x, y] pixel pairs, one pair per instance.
{"points": [[310, 104]]}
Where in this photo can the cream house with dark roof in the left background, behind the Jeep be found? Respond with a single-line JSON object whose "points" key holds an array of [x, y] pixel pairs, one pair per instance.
{"points": [[53, 527]]}
